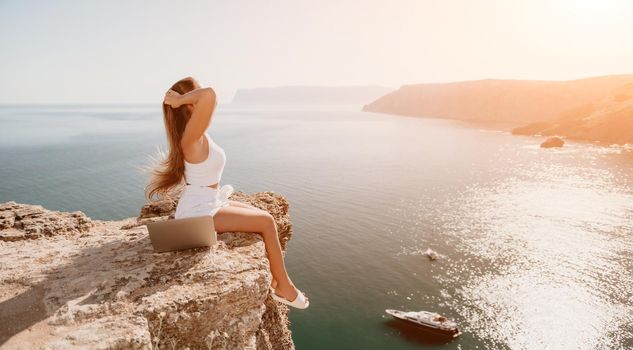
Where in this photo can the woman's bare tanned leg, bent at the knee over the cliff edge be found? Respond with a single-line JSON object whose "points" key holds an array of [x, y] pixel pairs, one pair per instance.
{"points": [[235, 218]]}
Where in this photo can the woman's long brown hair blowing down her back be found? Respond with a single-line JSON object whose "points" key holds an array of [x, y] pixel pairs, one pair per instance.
{"points": [[167, 171]]}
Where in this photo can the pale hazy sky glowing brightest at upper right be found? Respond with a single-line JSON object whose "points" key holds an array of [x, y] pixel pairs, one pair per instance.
{"points": [[123, 52]]}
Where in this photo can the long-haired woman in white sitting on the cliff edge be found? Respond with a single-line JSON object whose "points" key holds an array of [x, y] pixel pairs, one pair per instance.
{"points": [[195, 158]]}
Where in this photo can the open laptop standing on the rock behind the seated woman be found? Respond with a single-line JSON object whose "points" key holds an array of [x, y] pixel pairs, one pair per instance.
{"points": [[185, 233]]}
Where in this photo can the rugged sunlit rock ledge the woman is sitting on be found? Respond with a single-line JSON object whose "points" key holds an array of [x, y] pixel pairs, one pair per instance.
{"points": [[67, 281]]}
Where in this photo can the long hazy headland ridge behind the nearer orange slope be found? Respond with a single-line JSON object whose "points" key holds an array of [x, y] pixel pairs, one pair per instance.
{"points": [[520, 101]]}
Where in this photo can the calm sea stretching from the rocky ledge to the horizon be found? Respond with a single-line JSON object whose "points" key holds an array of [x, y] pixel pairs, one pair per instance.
{"points": [[535, 245]]}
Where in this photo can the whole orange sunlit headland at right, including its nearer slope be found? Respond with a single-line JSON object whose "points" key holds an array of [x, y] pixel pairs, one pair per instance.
{"points": [[593, 109]]}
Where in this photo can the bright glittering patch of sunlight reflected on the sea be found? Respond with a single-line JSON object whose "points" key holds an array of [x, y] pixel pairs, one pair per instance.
{"points": [[542, 259]]}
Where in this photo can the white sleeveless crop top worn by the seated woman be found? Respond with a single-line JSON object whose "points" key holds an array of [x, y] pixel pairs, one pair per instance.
{"points": [[209, 171]]}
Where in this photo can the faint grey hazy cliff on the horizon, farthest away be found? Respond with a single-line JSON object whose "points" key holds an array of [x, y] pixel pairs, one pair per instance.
{"points": [[309, 95]]}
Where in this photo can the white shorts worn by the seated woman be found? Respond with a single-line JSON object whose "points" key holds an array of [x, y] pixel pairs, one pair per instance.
{"points": [[202, 200]]}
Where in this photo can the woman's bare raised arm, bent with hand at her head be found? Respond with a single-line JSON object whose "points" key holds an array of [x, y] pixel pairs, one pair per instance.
{"points": [[204, 102]]}
